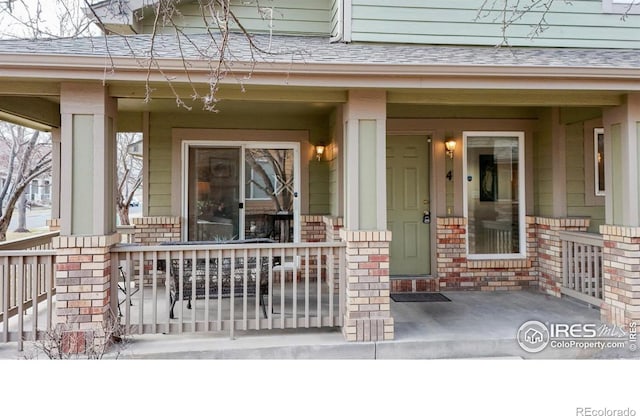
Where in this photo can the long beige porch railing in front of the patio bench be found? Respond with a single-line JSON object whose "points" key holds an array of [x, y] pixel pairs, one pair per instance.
{"points": [[234, 287]]}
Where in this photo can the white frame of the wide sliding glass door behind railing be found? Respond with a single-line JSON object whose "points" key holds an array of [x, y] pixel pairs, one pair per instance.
{"points": [[186, 144]]}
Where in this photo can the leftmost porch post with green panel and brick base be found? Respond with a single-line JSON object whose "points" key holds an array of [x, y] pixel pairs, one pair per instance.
{"points": [[87, 210]]}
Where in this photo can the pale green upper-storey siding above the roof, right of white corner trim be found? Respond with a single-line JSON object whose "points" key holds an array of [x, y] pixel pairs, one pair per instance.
{"points": [[459, 22]]}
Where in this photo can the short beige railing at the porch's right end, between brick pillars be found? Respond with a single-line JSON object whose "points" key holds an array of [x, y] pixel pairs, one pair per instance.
{"points": [[582, 266]]}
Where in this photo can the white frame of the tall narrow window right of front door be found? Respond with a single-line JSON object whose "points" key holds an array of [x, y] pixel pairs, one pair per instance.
{"points": [[521, 194]]}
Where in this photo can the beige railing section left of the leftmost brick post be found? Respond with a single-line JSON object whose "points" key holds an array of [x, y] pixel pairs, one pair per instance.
{"points": [[26, 281]]}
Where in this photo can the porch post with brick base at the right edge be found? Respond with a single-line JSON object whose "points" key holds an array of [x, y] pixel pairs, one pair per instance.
{"points": [[621, 253]]}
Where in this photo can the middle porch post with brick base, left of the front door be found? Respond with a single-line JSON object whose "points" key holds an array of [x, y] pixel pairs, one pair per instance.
{"points": [[368, 315]]}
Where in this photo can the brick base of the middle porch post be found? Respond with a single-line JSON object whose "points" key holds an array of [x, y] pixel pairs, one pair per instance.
{"points": [[368, 315]]}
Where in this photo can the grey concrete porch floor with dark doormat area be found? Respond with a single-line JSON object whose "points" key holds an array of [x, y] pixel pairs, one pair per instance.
{"points": [[472, 325]]}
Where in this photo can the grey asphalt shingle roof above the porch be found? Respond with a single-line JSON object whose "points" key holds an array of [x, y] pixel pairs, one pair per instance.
{"points": [[319, 50]]}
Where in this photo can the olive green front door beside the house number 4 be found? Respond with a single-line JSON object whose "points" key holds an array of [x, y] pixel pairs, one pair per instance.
{"points": [[407, 204]]}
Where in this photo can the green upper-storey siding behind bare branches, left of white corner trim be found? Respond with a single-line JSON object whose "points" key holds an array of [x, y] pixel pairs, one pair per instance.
{"points": [[306, 17]]}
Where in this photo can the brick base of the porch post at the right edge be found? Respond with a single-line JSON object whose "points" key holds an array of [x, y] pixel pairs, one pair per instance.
{"points": [[621, 274]]}
